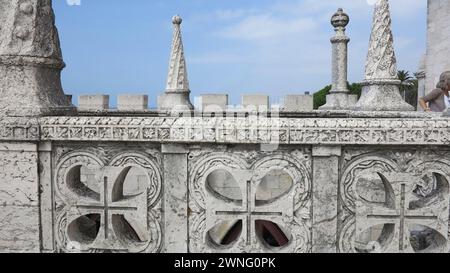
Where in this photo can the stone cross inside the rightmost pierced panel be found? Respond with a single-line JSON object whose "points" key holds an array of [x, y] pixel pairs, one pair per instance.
{"points": [[397, 216]]}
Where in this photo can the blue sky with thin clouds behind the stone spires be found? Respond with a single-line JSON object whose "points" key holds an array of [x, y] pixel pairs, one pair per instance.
{"points": [[275, 47]]}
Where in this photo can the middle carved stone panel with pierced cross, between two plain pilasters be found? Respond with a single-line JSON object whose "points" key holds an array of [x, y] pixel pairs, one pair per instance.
{"points": [[211, 210]]}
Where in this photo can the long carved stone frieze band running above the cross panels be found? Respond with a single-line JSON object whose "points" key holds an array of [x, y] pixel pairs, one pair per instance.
{"points": [[335, 131]]}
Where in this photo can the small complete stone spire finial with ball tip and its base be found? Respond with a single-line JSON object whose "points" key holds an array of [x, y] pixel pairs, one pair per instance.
{"points": [[177, 89]]}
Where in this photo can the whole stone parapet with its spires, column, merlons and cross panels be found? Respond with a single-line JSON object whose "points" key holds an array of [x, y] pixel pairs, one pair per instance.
{"points": [[222, 179]]}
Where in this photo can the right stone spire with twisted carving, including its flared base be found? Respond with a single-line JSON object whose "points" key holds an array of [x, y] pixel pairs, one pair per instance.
{"points": [[381, 83]]}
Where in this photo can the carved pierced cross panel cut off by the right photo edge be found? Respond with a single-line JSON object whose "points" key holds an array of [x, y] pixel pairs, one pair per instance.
{"points": [[395, 202]]}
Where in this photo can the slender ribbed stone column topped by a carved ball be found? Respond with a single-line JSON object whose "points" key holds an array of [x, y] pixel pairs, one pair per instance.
{"points": [[339, 98]]}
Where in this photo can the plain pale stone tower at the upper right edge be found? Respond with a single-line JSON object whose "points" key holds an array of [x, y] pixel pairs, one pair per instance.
{"points": [[438, 44]]}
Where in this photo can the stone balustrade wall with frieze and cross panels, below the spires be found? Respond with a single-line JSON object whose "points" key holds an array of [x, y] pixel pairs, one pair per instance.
{"points": [[165, 184]]}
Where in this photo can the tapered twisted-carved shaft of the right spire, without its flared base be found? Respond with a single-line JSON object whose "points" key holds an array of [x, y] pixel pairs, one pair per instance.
{"points": [[381, 62]]}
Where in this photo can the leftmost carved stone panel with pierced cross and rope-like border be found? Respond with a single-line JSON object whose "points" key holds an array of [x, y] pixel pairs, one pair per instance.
{"points": [[95, 212]]}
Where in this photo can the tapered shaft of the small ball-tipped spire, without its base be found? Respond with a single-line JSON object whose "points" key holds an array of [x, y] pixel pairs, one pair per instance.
{"points": [[177, 79]]}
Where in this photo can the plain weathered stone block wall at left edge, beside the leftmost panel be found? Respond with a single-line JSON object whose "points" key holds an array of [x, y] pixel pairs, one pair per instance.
{"points": [[19, 195]]}
